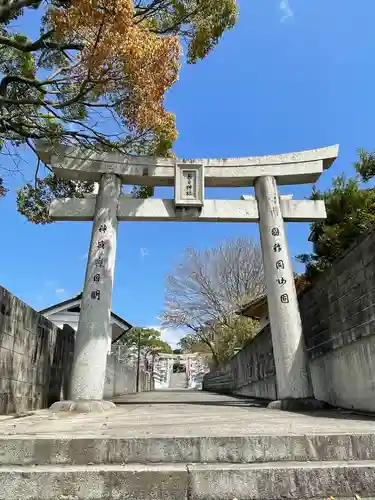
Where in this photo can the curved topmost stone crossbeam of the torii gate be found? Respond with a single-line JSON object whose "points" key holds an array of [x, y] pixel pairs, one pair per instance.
{"points": [[302, 167]]}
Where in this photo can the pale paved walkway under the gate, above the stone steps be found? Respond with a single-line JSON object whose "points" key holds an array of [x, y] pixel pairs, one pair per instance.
{"points": [[183, 413]]}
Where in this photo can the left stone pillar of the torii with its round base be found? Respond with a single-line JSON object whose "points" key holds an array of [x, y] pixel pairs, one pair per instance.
{"points": [[93, 334]]}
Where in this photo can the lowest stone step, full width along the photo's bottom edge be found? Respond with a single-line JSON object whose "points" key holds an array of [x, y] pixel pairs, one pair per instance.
{"points": [[267, 481]]}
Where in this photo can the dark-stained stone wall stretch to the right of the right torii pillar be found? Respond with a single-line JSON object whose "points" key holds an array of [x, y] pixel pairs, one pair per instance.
{"points": [[338, 316]]}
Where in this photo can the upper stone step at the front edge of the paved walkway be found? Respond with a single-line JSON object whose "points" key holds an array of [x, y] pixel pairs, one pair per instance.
{"points": [[29, 450]]}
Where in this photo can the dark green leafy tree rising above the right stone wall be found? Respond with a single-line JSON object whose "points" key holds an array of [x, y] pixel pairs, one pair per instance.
{"points": [[350, 213]]}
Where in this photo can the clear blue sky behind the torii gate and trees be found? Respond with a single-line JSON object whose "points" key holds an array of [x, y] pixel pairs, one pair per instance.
{"points": [[290, 76]]}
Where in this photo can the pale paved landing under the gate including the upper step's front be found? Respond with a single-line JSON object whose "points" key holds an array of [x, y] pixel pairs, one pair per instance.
{"points": [[185, 426]]}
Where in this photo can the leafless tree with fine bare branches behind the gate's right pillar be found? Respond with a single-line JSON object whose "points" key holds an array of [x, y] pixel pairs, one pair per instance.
{"points": [[205, 289]]}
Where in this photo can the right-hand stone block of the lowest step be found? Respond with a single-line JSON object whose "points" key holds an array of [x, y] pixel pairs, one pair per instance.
{"points": [[279, 480]]}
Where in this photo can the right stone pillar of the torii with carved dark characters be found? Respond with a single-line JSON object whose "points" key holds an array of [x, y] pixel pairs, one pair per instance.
{"points": [[293, 383]]}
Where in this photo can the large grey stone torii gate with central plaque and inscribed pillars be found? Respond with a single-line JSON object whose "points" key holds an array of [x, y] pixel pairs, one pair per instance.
{"points": [[189, 178]]}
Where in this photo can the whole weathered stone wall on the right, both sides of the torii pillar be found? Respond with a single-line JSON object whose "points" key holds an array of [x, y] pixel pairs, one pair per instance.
{"points": [[338, 317]]}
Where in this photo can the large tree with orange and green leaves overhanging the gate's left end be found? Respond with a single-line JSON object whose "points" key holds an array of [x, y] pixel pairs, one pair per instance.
{"points": [[96, 77]]}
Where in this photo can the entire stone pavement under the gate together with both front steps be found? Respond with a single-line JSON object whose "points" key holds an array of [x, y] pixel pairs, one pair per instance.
{"points": [[177, 445]]}
